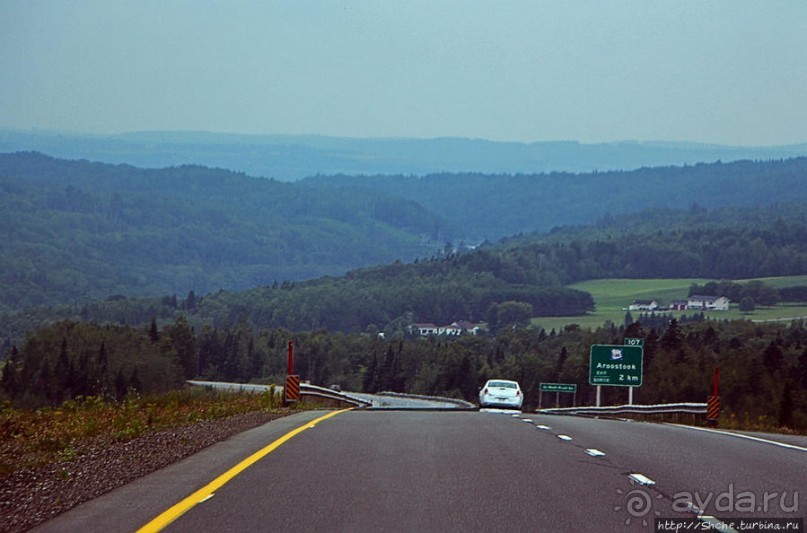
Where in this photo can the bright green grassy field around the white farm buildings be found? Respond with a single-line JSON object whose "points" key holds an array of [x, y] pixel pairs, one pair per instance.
{"points": [[613, 296]]}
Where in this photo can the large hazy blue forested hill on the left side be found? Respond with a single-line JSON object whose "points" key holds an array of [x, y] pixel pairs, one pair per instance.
{"points": [[75, 231]]}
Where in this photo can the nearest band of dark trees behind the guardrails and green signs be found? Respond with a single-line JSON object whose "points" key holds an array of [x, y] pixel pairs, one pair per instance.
{"points": [[763, 367]]}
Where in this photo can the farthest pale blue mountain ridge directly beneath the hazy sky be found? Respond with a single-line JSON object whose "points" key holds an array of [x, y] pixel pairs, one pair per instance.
{"points": [[293, 157]]}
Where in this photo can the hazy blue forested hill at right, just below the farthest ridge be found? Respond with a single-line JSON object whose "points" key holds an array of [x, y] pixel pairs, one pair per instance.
{"points": [[495, 206]]}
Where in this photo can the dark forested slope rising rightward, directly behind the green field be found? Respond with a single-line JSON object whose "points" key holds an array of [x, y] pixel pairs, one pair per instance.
{"points": [[527, 271]]}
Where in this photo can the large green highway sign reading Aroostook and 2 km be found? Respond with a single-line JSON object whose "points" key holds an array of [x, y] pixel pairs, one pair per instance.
{"points": [[616, 365]]}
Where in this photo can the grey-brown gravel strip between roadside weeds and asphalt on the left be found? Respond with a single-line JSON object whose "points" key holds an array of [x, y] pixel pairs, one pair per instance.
{"points": [[32, 496]]}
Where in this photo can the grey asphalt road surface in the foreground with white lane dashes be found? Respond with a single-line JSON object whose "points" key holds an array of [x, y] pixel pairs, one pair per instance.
{"points": [[463, 471]]}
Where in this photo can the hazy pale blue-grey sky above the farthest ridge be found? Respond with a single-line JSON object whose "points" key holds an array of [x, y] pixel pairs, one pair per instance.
{"points": [[729, 72]]}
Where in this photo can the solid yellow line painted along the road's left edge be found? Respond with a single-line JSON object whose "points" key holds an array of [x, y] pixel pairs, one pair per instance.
{"points": [[171, 514]]}
